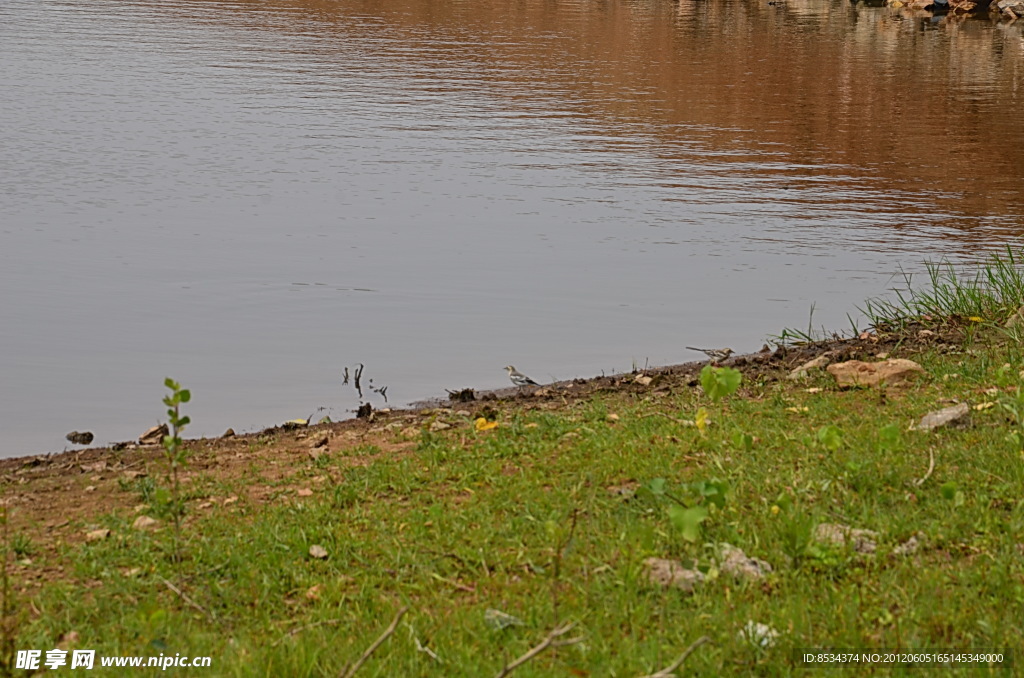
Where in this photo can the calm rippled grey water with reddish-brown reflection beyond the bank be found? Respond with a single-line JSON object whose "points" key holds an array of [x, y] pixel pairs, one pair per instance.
{"points": [[250, 197]]}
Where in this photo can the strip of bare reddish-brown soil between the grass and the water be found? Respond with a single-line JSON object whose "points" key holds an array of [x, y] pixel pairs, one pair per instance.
{"points": [[70, 485]]}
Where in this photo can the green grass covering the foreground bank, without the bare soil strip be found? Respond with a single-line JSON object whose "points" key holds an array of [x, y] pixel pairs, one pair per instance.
{"points": [[454, 530]]}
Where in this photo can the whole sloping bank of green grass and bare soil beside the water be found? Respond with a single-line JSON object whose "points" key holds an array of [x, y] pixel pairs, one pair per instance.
{"points": [[492, 539]]}
